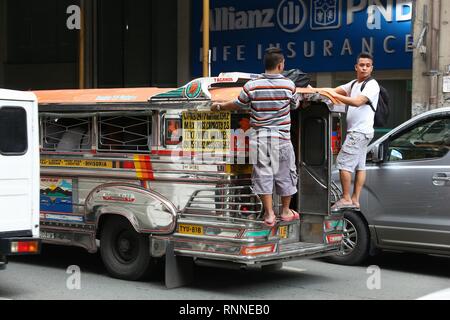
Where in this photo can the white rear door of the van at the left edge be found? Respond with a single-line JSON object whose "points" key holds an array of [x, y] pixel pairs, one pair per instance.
{"points": [[19, 165]]}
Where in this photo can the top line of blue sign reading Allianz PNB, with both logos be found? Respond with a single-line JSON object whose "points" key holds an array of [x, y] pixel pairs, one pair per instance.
{"points": [[292, 15]]}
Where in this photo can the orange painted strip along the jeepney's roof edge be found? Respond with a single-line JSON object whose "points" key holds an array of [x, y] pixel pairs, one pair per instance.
{"points": [[90, 96]]}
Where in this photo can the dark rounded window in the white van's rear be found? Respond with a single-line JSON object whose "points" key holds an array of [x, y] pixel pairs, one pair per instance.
{"points": [[13, 131]]}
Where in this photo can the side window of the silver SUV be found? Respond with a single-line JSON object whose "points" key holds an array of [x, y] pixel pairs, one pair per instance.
{"points": [[429, 139]]}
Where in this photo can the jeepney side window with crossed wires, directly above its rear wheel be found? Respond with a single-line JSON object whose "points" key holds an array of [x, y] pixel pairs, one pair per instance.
{"points": [[125, 132]]}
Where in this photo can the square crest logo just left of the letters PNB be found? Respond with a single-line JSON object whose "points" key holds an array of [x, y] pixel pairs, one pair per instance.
{"points": [[325, 14]]}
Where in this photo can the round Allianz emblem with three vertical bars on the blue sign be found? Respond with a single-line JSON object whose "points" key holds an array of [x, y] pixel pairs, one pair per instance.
{"points": [[292, 15]]}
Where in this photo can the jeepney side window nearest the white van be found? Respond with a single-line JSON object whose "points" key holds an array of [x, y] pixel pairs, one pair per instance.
{"points": [[66, 134]]}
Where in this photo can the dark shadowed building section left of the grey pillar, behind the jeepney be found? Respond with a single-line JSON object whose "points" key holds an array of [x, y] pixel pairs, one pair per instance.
{"points": [[51, 44]]}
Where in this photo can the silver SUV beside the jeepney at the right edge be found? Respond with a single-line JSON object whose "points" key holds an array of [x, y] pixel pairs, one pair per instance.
{"points": [[405, 205]]}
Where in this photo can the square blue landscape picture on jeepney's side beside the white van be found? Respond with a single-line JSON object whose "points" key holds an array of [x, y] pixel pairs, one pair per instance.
{"points": [[56, 195]]}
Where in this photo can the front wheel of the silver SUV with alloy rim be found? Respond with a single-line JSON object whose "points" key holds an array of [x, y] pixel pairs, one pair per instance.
{"points": [[356, 243]]}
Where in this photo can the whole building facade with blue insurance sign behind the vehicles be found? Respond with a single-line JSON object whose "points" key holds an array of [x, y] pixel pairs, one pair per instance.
{"points": [[51, 44]]}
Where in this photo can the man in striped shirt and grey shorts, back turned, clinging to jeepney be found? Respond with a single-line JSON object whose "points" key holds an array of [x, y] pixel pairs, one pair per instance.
{"points": [[270, 99]]}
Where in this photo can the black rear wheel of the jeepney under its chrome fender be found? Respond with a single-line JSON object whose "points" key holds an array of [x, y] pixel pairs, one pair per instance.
{"points": [[125, 253]]}
